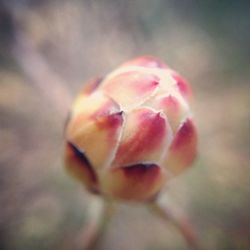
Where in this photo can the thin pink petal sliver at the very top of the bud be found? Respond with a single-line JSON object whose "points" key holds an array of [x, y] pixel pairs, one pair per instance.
{"points": [[145, 61]]}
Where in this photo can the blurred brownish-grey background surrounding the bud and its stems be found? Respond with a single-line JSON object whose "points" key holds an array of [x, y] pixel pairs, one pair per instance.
{"points": [[48, 49]]}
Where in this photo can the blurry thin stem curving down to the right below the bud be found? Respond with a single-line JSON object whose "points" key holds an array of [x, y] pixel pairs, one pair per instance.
{"points": [[181, 223]]}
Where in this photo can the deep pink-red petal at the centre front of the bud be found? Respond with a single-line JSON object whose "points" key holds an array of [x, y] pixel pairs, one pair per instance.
{"points": [[144, 139]]}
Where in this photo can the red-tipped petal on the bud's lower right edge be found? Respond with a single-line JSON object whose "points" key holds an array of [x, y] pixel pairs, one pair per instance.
{"points": [[183, 149]]}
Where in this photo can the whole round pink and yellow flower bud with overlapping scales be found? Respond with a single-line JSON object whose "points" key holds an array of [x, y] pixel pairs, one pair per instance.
{"points": [[132, 131]]}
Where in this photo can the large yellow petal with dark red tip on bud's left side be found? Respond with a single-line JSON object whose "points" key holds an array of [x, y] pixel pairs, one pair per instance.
{"points": [[97, 129]]}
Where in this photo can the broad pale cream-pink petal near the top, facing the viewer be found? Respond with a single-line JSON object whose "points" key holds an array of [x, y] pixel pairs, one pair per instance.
{"points": [[132, 88]]}
